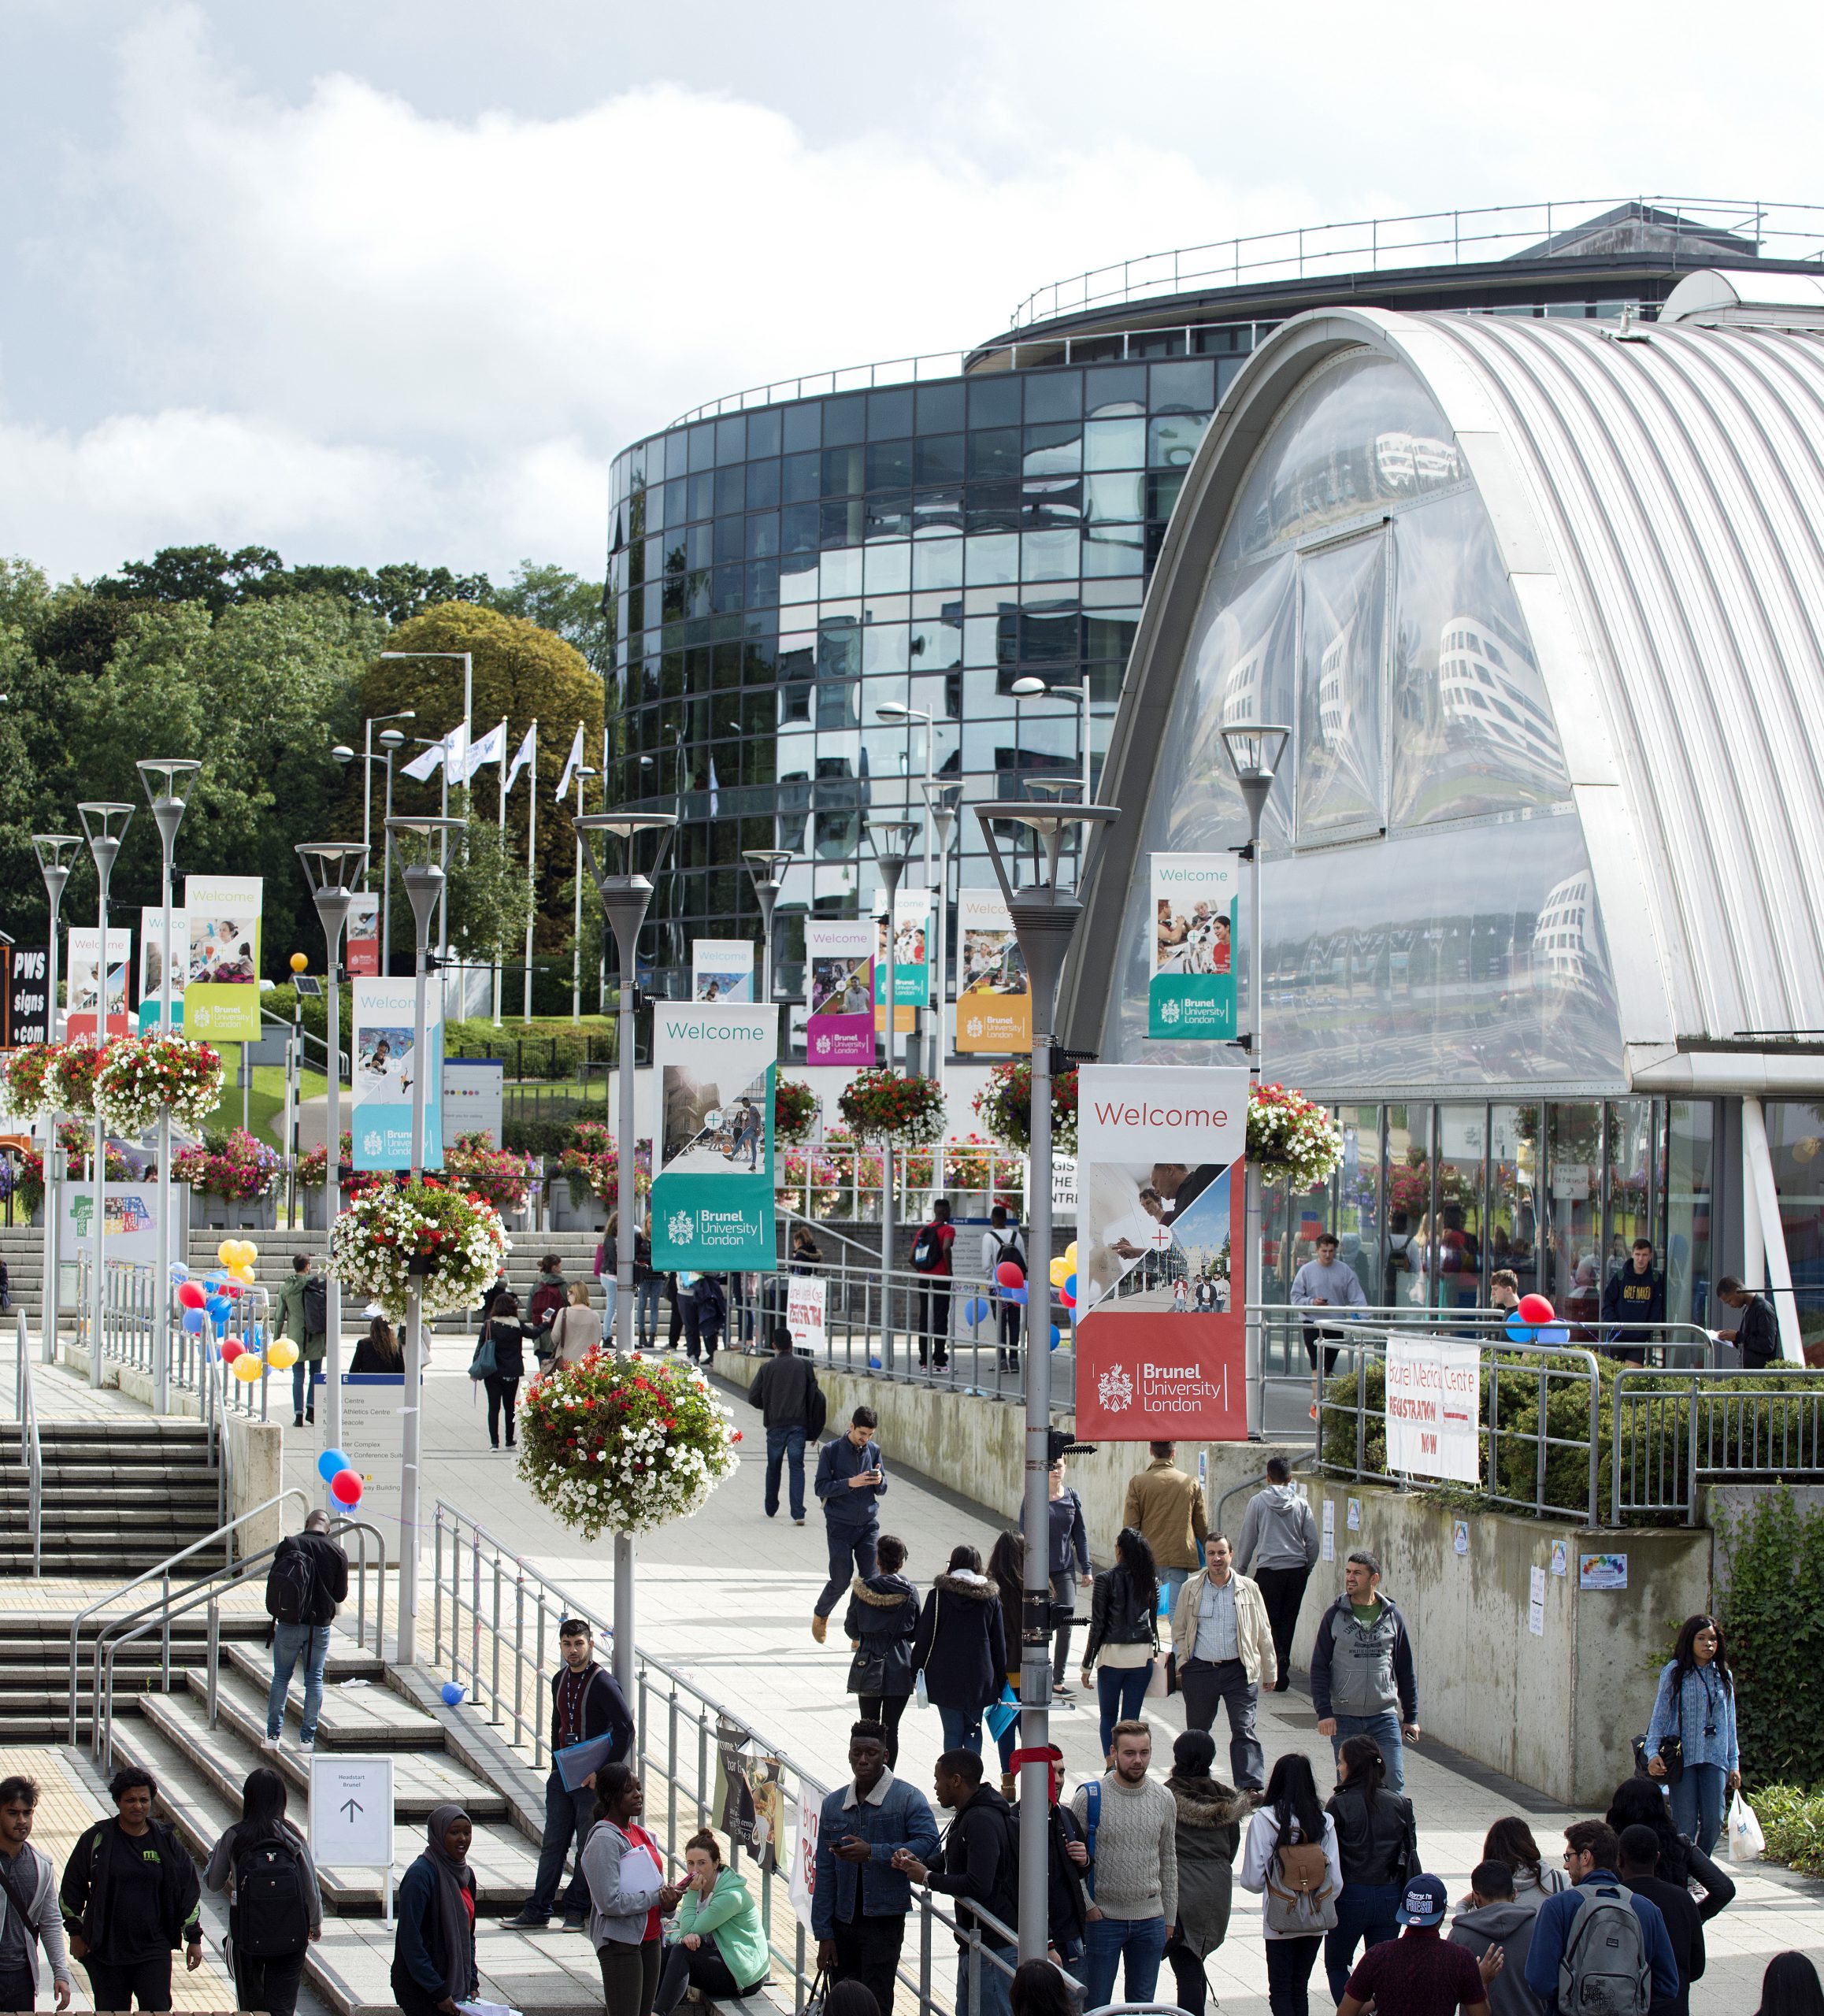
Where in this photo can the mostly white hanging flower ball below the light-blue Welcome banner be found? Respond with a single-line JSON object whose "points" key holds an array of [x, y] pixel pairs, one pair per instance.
{"points": [[422, 1235]]}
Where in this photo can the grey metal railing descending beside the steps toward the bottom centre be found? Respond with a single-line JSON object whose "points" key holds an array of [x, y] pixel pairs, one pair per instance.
{"points": [[495, 1628]]}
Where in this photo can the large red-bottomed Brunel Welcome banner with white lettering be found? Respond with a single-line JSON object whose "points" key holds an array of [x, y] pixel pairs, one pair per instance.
{"points": [[1160, 1253]]}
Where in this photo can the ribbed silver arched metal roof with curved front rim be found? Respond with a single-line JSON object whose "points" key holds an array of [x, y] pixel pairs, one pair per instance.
{"points": [[1658, 495]]}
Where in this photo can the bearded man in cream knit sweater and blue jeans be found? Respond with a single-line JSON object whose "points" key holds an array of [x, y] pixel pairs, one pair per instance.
{"points": [[1130, 1854]]}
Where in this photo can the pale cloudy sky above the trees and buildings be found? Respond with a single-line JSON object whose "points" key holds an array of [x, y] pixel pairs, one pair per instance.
{"points": [[396, 279]]}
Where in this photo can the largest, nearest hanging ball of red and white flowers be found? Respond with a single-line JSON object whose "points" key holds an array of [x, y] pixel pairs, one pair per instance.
{"points": [[624, 1444]]}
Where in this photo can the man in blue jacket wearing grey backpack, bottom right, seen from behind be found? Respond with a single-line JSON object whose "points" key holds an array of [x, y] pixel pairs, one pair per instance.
{"points": [[1599, 1948]]}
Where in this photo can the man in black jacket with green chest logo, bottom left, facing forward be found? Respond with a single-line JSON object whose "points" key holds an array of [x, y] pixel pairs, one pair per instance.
{"points": [[130, 1896]]}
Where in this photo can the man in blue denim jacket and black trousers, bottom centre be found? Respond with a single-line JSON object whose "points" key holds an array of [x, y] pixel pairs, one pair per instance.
{"points": [[860, 1900]]}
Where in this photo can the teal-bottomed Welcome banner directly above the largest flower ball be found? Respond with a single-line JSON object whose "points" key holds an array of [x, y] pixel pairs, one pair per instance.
{"points": [[712, 1196]]}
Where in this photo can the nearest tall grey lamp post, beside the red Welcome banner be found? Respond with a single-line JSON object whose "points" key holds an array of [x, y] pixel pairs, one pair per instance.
{"points": [[1045, 918]]}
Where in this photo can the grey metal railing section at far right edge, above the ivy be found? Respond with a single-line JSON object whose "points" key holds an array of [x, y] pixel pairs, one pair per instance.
{"points": [[1678, 1430]]}
